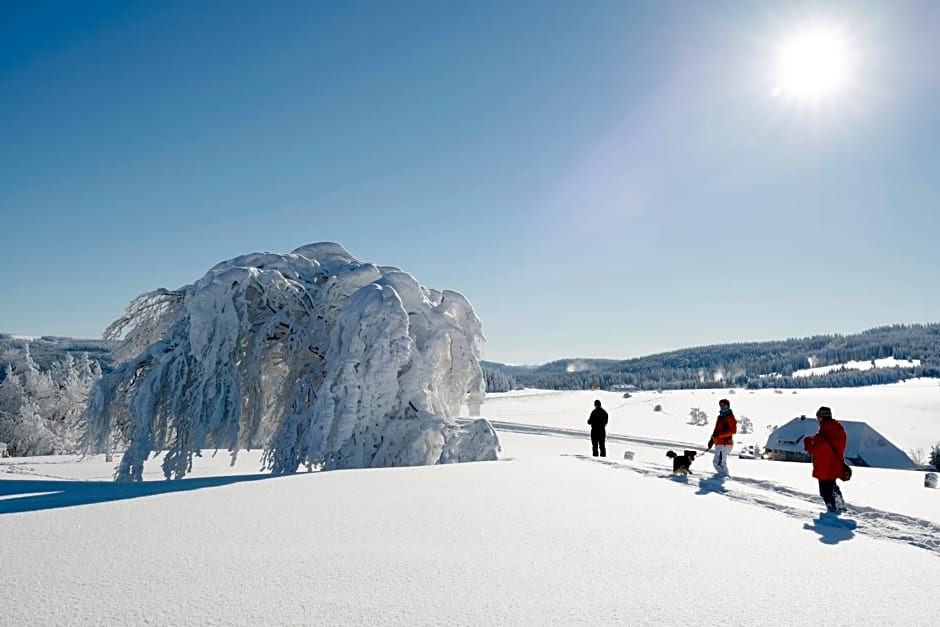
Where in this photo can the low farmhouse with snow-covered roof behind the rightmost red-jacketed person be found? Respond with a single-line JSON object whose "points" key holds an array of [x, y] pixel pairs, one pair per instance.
{"points": [[864, 446]]}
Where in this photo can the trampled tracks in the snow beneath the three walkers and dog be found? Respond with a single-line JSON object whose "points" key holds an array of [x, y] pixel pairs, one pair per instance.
{"points": [[869, 521]]}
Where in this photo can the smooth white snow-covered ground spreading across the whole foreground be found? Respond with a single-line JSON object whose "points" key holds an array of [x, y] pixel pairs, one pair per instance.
{"points": [[546, 535]]}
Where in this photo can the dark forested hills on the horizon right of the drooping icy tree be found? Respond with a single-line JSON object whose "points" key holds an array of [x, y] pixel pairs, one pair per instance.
{"points": [[751, 364]]}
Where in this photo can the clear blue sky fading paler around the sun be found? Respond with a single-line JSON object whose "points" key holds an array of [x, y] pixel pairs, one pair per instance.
{"points": [[600, 179]]}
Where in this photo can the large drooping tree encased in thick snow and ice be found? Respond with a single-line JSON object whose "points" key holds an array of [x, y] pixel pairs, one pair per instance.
{"points": [[320, 358]]}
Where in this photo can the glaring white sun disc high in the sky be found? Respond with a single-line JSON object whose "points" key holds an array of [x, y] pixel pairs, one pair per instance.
{"points": [[813, 65]]}
